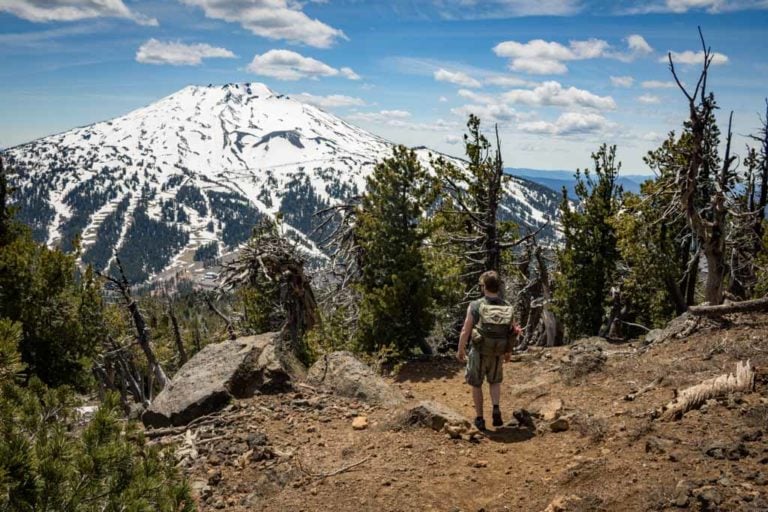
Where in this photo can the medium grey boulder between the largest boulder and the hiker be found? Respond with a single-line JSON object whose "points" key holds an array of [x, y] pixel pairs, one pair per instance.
{"points": [[345, 375]]}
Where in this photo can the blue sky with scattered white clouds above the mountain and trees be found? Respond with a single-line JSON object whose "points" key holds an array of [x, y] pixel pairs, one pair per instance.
{"points": [[559, 76]]}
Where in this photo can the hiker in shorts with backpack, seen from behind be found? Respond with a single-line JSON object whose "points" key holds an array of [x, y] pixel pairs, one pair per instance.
{"points": [[490, 325]]}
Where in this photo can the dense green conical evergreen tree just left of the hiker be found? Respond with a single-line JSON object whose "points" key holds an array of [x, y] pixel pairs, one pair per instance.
{"points": [[394, 286]]}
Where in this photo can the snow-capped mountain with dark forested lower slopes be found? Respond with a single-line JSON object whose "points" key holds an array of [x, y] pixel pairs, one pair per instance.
{"points": [[187, 177]]}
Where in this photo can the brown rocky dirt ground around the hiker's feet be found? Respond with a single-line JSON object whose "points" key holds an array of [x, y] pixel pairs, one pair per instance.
{"points": [[589, 444]]}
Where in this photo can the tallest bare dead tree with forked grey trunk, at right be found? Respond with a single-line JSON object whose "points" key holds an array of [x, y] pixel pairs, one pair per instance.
{"points": [[711, 231]]}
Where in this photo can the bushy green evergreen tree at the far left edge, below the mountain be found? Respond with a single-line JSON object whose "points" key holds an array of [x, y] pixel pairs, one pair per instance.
{"points": [[40, 290]]}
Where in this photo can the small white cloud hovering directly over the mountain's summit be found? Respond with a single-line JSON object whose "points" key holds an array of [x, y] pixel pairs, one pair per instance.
{"points": [[289, 65]]}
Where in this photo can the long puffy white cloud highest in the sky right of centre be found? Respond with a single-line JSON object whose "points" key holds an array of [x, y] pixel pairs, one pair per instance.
{"points": [[541, 57]]}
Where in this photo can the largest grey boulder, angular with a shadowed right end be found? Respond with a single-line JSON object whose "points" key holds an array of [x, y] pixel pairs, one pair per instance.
{"points": [[218, 373]]}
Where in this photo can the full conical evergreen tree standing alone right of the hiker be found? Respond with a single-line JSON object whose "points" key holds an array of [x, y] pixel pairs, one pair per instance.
{"points": [[587, 262]]}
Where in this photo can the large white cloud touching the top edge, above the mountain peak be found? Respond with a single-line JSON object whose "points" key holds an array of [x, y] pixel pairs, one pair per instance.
{"points": [[273, 19]]}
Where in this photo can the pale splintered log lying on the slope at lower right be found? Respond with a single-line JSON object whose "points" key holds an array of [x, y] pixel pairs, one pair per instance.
{"points": [[695, 396]]}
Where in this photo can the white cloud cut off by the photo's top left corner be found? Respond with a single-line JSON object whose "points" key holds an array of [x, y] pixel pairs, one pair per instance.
{"points": [[72, 10]]}
